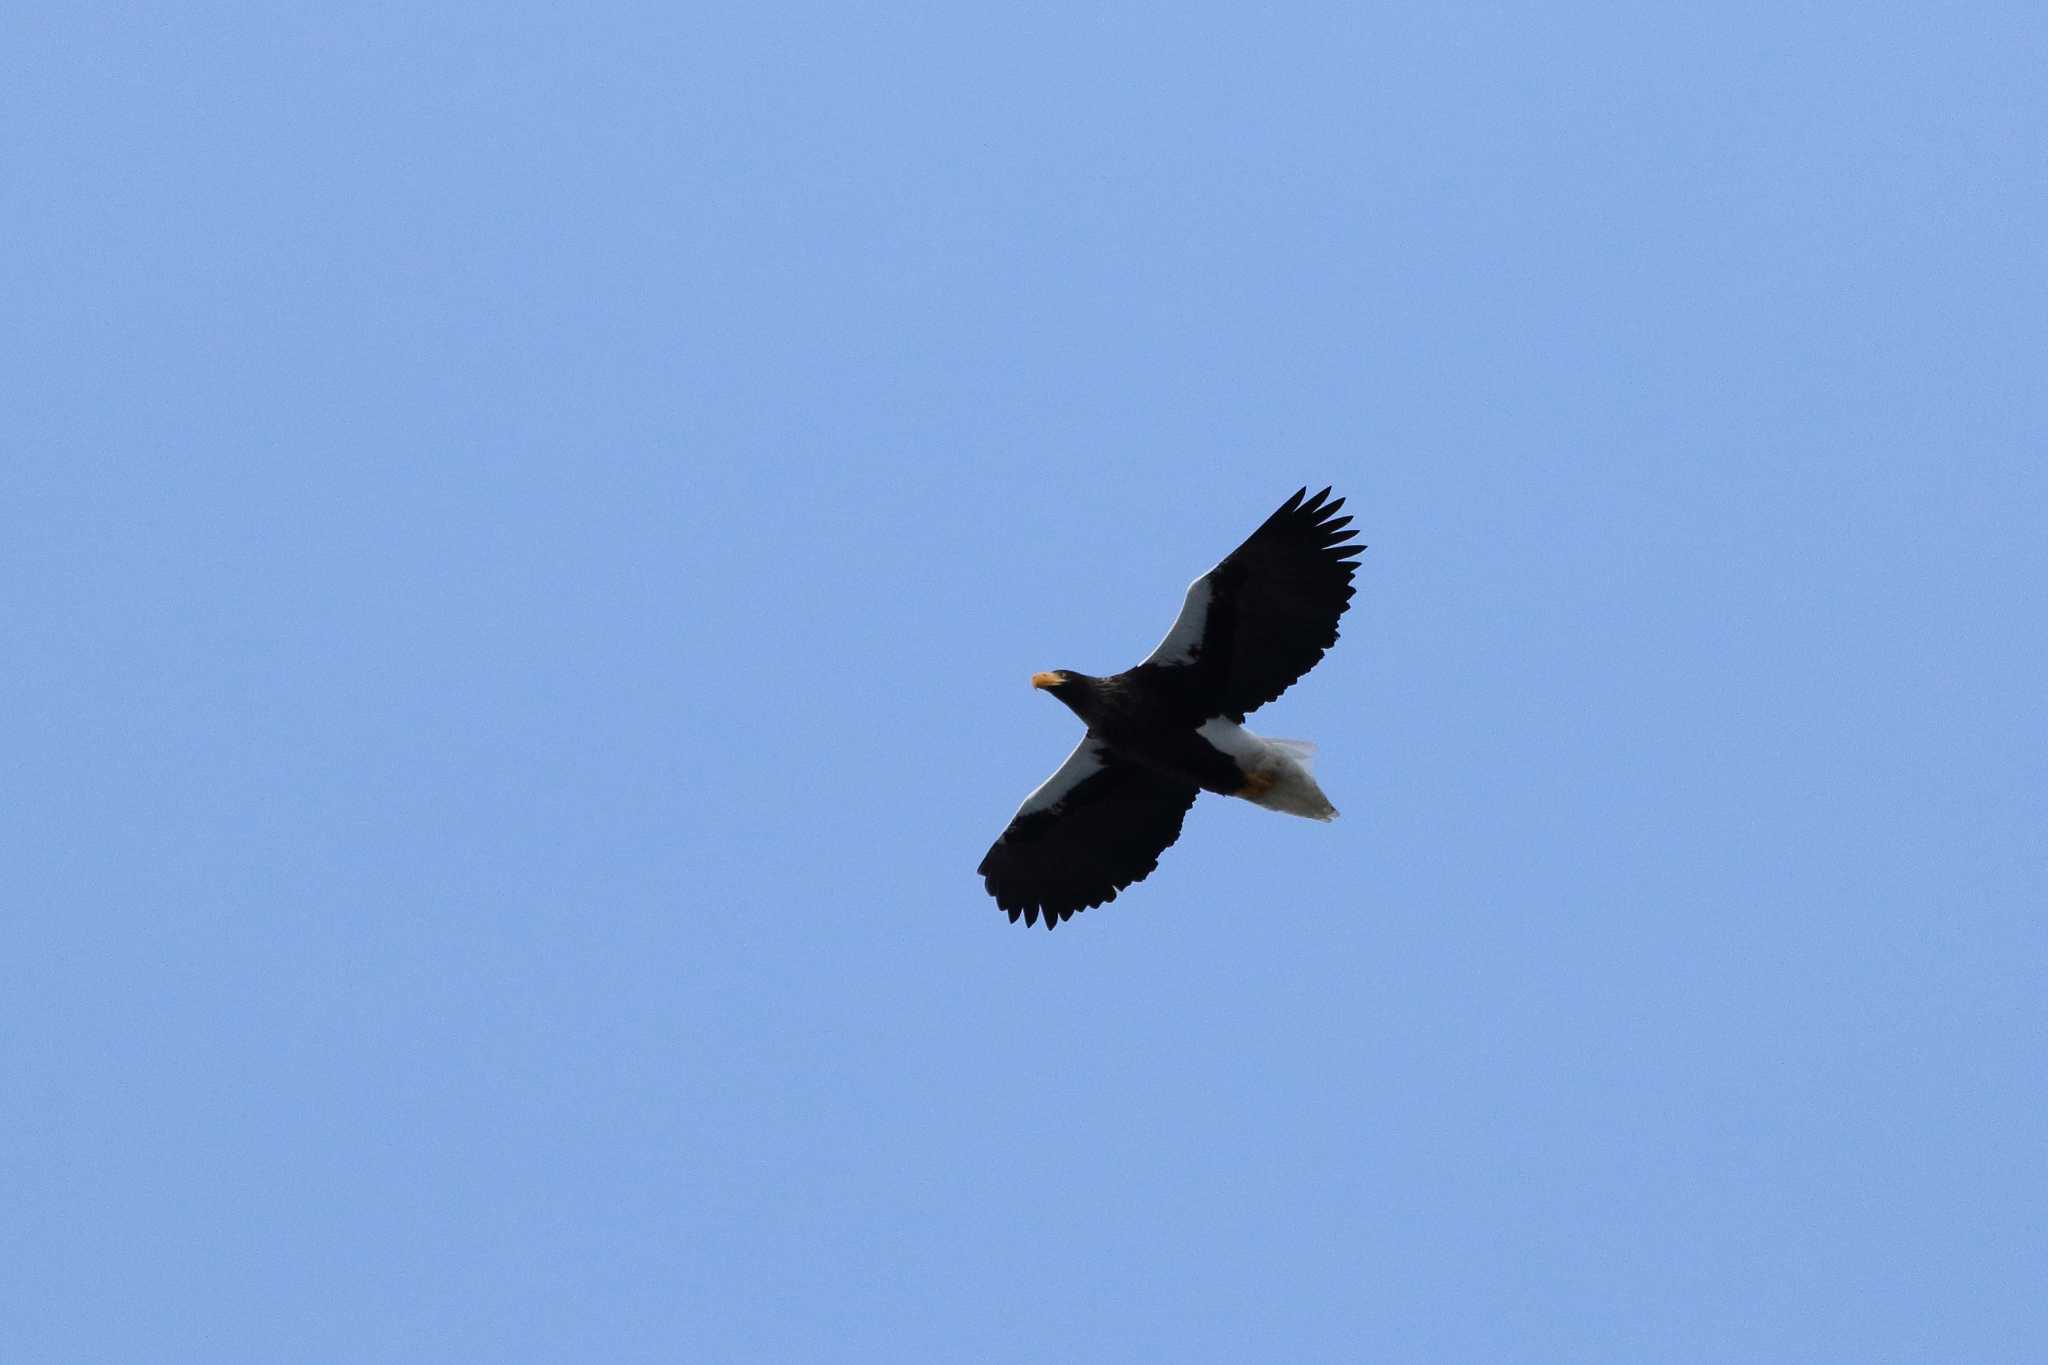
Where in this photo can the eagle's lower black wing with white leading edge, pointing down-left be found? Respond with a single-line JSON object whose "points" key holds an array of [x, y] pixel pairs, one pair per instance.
{"points": [[1095, 828]]}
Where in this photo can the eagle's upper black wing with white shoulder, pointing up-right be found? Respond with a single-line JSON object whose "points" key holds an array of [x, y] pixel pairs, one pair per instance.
{"points": [[1261, 619]]}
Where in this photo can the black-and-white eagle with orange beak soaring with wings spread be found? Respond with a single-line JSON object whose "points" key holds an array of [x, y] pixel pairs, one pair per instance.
{"points": [[1175, 728]]}
